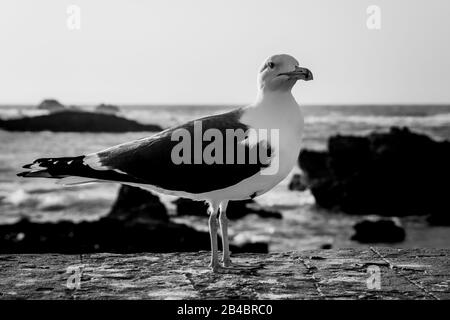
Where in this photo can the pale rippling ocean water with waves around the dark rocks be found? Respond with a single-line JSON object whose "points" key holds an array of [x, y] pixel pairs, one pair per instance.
{"points": [[304, 226]]}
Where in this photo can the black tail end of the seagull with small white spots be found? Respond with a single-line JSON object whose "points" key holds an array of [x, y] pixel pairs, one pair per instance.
{"points": [[71, 170]]}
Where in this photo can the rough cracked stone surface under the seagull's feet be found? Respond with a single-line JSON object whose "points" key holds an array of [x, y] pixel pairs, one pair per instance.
{"points": [[318, 274]]}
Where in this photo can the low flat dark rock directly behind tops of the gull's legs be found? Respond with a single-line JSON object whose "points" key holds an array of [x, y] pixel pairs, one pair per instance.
{"points": [[235, 210]]}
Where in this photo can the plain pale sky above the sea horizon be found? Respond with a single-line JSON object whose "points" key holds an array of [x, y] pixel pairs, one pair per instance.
{"points": [[207, 51]]}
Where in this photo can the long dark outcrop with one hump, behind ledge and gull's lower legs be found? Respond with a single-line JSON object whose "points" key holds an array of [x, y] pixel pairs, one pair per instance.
{"points": [[138, 222]]}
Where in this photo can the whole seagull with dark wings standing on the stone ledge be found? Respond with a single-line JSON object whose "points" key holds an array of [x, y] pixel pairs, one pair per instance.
{"points": [[201, 166]]}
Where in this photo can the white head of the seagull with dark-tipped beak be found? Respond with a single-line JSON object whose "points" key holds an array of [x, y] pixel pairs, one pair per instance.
{"points": [[280, 73]]}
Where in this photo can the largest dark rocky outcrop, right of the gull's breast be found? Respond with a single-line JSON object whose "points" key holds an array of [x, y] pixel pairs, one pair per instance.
{"points": [[396, 173]]}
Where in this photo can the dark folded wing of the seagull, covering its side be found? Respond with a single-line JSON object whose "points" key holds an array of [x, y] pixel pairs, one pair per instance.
{"points": [[149, 160]]}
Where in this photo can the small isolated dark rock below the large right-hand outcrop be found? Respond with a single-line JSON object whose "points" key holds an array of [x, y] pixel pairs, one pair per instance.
{"points": [[379, 230]]}
